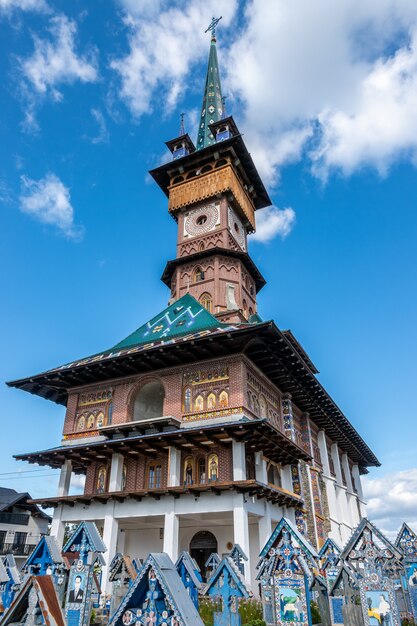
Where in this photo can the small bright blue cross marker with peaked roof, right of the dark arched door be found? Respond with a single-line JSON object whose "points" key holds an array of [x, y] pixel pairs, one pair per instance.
{"points": [[226, 587]]}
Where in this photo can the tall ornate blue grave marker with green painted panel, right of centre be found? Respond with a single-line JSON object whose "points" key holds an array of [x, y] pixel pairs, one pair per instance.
{"points": [[286, 569]]}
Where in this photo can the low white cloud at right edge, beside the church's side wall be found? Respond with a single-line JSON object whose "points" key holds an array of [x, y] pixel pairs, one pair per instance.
{"points": [[392, 500]]}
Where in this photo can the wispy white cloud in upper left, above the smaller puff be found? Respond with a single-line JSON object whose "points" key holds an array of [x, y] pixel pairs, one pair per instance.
{"points": [[56, 62]]}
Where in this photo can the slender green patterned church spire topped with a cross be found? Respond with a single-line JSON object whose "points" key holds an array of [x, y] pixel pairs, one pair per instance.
{"points": [[212, 108]]}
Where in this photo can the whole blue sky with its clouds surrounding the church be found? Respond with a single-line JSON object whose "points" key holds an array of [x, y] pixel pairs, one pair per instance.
{"points": [[89, 92]]}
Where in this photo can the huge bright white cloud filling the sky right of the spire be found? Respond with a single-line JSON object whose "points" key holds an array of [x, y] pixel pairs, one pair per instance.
{"points": [[339, 85]]}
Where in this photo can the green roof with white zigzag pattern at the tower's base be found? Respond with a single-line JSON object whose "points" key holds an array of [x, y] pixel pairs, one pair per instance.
{"points": [[183, 317]]}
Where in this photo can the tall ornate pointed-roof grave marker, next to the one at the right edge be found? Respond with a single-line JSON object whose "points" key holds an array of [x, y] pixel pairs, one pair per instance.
{"points": [[375, 559]]}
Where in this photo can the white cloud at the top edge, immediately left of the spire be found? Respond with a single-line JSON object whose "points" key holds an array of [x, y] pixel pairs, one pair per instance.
{"points": [[163, 46]]}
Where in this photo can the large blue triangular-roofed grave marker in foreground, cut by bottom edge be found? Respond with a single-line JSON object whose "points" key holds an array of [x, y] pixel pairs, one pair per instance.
{"points": [[157, 597]]}
